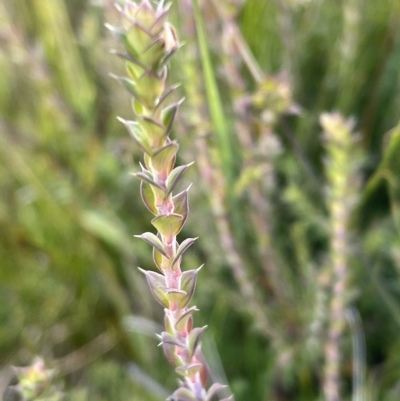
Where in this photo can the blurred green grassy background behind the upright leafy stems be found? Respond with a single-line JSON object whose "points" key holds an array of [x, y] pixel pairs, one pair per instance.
{"points": [[69, 288]]}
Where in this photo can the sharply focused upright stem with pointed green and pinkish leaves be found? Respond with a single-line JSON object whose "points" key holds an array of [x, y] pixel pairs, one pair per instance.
{"points": [[149, 41]]}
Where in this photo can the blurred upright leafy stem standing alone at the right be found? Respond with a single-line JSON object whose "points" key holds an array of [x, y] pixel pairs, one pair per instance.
{"points": [[341, 176]]}
